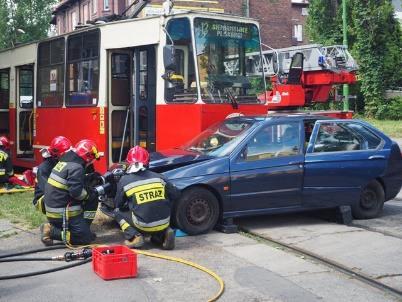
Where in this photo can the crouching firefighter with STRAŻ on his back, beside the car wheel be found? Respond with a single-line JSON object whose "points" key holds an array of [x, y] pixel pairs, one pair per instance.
{"points": [[143, 203]]}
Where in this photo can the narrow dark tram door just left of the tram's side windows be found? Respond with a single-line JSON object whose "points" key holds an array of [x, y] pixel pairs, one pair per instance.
{"points": [[24, 106]]}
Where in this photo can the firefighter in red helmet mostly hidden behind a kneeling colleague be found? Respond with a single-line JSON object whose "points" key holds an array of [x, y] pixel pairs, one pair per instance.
{"points": [[51, 156]]}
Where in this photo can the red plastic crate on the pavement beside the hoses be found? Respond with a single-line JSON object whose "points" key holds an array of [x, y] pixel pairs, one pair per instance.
{"points": [[120, 262]]}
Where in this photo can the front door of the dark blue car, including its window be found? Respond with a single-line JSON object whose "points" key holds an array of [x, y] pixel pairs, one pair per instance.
{"points": [[268, 172]]}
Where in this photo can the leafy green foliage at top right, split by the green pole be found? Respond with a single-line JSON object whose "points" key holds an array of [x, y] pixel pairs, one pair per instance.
{"points": [[375, 40]]}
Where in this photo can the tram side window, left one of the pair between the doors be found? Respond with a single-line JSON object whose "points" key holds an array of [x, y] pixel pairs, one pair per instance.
{"points": [[51, 73]]}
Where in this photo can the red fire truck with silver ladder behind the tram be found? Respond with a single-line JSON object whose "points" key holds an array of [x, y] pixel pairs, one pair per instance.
{"points": [[303, 75]]}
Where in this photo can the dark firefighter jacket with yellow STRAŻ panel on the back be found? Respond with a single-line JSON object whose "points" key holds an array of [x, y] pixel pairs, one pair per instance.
{"points": [[147, 196]]}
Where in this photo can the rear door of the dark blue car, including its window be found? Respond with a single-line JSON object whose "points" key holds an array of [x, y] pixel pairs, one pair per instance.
{"points": [[342, 156]]}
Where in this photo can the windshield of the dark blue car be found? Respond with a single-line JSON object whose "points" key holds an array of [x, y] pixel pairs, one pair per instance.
{"points": [[221, 138]]}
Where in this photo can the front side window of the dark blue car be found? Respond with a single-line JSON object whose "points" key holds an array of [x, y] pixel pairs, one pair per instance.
{"points": [[274, 141]]}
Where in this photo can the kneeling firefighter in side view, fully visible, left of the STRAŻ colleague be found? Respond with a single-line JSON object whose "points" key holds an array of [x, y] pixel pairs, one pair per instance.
{"points": [[65, 194]]}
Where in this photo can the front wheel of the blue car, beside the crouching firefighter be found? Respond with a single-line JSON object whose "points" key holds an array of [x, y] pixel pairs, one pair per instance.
{"points": [[197, 211]]}
